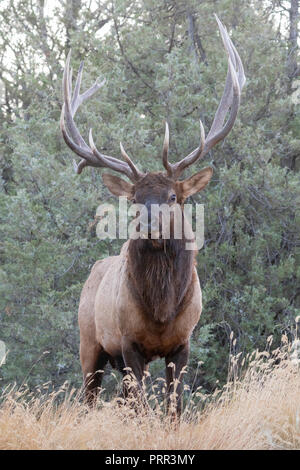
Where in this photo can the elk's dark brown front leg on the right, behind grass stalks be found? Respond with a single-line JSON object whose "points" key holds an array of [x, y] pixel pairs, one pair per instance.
{"points": [[175, 362]]}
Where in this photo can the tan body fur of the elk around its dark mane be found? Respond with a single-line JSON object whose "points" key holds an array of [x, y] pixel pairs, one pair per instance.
{"points": [[108, 313]]}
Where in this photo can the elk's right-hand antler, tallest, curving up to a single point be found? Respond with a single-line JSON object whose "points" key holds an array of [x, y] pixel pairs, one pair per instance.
{"points": [[235, 81]]}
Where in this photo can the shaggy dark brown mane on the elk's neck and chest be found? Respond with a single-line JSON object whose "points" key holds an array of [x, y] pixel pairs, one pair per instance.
{"points": [[160, 276]]}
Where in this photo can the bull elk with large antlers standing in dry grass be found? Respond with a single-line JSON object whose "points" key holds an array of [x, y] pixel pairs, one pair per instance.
{"points": [[145, 302]]}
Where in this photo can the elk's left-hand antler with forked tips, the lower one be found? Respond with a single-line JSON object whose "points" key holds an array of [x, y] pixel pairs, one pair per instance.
{"points": [[89, 154]]}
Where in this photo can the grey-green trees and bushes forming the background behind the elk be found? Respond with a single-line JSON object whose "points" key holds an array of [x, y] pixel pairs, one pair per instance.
{"points": [[162, 60]]}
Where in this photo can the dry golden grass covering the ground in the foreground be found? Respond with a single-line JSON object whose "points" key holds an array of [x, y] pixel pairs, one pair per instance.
{"points": [[259, 411]]}
